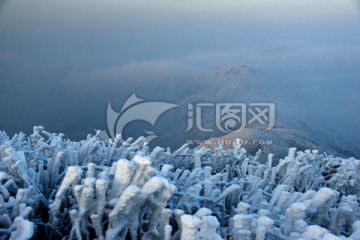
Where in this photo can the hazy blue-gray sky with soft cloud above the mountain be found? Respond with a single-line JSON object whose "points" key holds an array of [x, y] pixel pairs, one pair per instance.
{"points": [[55, 55]]}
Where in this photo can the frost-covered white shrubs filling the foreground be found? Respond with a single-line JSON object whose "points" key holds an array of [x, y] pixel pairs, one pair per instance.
{"points": [[52, 188]]}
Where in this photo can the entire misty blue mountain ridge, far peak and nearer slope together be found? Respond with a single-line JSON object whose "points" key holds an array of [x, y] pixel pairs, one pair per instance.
{"points": [[230, 84]]}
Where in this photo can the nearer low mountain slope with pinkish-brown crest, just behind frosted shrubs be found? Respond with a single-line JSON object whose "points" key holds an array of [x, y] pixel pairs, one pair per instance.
{"points": [[290, 133]]}
